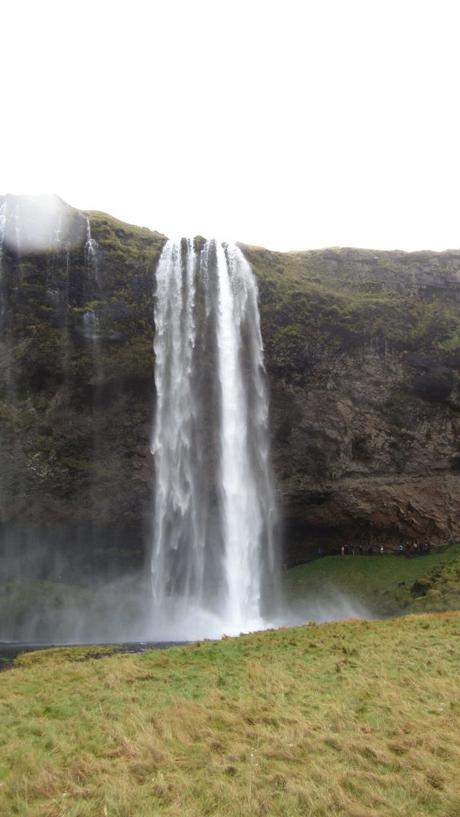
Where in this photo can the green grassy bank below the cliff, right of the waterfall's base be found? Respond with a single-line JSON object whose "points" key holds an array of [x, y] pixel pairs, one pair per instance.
{"points": [[386, 584]]}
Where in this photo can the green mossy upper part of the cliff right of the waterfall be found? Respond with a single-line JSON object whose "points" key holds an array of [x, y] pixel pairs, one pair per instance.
{"points": [[350, 297]]}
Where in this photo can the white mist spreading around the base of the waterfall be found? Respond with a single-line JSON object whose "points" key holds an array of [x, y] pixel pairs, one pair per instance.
{"points": [[41, 611]]}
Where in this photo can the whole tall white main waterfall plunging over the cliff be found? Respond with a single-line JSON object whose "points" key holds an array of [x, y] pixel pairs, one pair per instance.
{"points": [[213, 554]]}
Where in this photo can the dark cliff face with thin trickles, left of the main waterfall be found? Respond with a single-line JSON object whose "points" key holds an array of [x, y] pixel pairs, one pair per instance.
{"points": [[76, 386]]}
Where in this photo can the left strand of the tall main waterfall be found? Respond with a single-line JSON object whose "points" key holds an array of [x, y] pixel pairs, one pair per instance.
{"points": [[177, 514]]}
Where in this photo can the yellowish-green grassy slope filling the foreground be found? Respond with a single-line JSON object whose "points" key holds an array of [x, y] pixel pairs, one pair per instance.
{"points": [[350, 719]]}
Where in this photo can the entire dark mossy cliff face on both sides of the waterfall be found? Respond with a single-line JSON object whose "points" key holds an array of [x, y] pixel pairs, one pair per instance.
{"points": [[362, 354]]}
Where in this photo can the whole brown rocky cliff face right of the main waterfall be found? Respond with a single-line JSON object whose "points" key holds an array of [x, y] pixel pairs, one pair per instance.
{"points": [[363, 352]]}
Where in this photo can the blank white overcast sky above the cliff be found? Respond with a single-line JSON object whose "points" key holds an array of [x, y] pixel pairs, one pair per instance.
{"points": [[284, 123]]}
